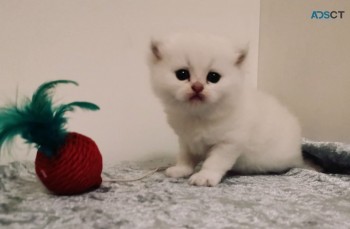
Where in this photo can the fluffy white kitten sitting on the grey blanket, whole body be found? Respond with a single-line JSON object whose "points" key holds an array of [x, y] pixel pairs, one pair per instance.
{"points": [[226, 124]]}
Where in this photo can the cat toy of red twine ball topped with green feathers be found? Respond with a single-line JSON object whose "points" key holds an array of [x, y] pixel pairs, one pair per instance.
{"points": [[67, 163]]}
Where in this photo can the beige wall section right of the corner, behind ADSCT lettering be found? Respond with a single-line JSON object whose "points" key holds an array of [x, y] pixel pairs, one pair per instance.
{"points": [[306, 63]]}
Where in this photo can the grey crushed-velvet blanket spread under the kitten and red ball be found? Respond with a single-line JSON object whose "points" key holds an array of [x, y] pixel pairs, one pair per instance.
{"points": [[299, 198]]}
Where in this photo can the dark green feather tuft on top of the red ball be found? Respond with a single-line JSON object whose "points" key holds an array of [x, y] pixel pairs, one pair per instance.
{"points": [[38, 121]]}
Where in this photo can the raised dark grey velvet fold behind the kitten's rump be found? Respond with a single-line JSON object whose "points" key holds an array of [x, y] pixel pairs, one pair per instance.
{"points": [[330, 157]]}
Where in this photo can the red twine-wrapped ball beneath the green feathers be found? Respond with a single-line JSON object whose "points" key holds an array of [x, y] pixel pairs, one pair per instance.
{"points": [[76, 168]]}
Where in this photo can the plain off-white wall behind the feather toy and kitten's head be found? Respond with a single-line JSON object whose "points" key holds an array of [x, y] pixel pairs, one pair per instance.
{"points": [[102, 45]]}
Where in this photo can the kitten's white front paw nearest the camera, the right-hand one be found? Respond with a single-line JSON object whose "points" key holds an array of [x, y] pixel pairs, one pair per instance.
{"points": [[205, 178]]}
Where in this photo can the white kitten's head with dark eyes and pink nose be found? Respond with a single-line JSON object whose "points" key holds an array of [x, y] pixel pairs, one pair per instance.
{"points": [[195, 70]]}
